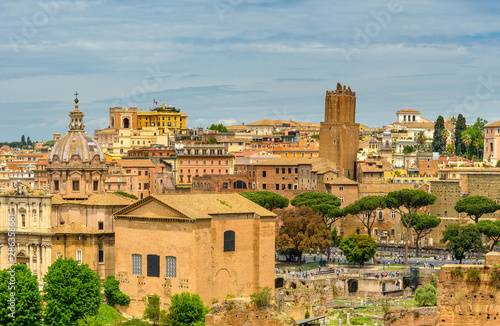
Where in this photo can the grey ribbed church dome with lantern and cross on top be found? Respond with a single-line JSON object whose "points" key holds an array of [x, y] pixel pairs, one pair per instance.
{"points": [[76, 141]]}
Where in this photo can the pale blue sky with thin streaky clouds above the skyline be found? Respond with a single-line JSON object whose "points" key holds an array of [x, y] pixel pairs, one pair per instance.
{"points": [[240, 61]]}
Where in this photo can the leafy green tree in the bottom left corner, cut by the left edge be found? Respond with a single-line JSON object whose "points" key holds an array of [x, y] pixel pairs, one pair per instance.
{"points": [[20, 301]]}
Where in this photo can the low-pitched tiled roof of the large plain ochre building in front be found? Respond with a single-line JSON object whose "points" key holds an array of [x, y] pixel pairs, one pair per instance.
{"points": [[201, 206]]}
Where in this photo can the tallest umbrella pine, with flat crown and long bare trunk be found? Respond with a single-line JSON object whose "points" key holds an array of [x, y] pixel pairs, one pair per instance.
{"points": [[408, 201]]}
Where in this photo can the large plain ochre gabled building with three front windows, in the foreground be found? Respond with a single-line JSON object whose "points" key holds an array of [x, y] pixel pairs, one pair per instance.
{"points": [[210, 244]]}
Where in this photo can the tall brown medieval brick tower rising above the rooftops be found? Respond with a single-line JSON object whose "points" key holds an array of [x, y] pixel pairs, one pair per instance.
{"points": [[339, 133]]}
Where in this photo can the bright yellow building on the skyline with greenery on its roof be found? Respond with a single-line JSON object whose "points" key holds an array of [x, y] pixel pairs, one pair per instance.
{"points": [[165, 118]]}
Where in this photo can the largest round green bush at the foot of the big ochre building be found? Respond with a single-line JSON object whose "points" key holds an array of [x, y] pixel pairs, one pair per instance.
{"points": [[185, 309]]}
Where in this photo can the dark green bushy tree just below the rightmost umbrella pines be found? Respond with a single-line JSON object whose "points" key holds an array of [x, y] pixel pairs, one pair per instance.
{"points": [[460, 239]]}
